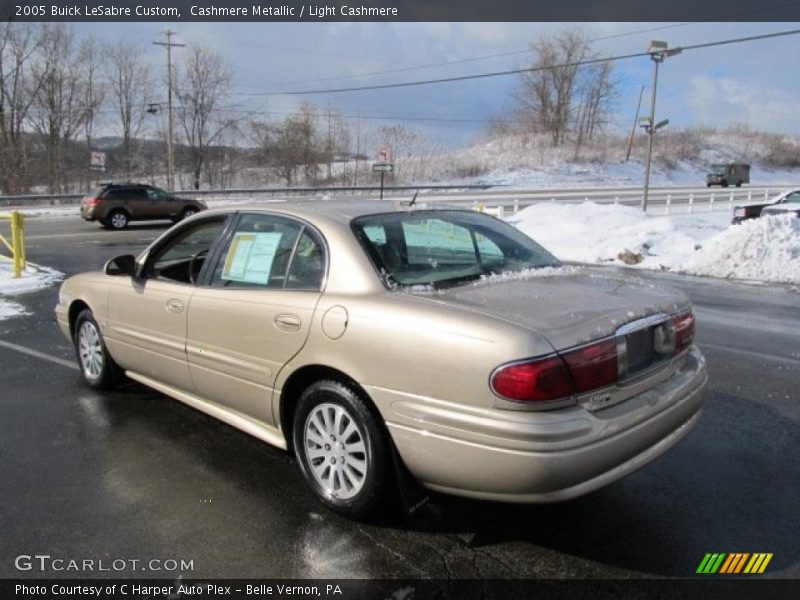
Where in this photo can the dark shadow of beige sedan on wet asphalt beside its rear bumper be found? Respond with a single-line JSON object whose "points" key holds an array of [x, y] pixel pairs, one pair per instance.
{"points": [[730, 486]]}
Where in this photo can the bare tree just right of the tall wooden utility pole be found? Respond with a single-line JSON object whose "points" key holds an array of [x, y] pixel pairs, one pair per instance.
{"points": [[201, 90]]}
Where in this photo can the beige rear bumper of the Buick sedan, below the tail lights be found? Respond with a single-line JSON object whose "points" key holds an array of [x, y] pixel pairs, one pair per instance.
{"points": [[545, 456]]}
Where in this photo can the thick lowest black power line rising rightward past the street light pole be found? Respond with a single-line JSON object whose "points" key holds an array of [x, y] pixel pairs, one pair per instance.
{"points": [[523, 70]]}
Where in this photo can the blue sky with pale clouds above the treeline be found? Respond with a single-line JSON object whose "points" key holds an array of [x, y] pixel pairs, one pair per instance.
{"points": [[757, 84]]}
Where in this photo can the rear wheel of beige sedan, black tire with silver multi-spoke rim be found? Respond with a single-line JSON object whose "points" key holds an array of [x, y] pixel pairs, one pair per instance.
{"points": [[368, 489]]}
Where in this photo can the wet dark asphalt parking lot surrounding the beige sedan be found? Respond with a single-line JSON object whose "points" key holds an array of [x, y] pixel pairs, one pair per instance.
{"points": [[135, 475]]}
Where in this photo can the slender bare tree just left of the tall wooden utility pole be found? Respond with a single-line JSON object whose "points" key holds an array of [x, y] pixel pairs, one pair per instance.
{"points": [[129, 86]]}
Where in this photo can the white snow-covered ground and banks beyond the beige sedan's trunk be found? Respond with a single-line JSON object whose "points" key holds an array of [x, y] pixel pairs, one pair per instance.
{"points": [[766, 250]]}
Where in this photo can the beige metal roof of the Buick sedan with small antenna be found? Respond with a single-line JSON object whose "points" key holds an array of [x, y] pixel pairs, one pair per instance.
{"points": [[339, 210]]}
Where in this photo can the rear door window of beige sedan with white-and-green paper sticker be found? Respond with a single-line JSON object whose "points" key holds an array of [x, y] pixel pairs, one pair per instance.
{"points": [[272, 252]]}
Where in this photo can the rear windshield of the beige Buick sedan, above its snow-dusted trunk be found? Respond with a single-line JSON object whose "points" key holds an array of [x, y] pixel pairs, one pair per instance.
{"points": [[443, 247]]}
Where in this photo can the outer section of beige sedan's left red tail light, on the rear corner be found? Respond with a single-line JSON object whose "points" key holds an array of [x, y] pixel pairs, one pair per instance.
{"points": [[533, 381]]}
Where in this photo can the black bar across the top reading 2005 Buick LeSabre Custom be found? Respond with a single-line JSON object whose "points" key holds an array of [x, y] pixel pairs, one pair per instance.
{"points": [[400, 10]]}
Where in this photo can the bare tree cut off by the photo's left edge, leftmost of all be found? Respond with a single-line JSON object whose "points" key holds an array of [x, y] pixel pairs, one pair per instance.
{"points": [[19, 43]]}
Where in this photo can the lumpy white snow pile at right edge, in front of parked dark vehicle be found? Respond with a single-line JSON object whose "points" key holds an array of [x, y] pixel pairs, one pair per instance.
{"points": [[765, 249]]}
